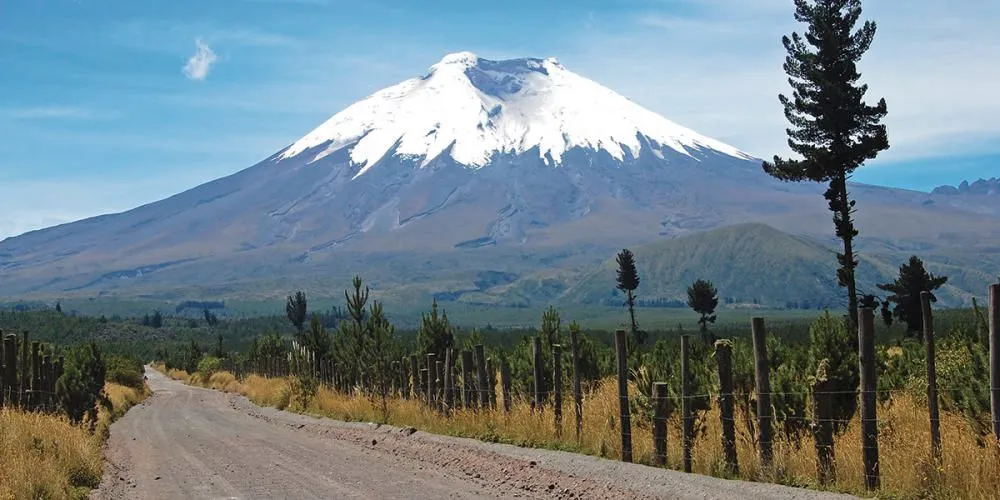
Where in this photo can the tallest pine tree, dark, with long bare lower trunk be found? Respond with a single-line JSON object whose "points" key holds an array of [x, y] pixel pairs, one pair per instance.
{"points": [[833, 129]]}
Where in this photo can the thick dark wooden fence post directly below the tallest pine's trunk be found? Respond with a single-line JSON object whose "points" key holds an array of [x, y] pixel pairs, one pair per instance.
{"points": [[869, 418]]}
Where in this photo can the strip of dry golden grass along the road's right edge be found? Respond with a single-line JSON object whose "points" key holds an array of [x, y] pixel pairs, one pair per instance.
{"points": [[969, 470]]}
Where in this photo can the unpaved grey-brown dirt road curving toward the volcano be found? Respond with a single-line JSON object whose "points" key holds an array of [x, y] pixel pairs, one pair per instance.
{"points": [[186, 442]]}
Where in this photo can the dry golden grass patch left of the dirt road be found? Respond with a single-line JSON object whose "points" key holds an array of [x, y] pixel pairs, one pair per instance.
{"points": [[44, 456]]}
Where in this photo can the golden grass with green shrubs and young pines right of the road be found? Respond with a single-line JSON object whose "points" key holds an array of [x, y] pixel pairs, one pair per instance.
{"points": [[363, 347]]}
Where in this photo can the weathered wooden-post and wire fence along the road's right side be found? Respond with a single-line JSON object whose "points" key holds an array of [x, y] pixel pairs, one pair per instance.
{"points": [[472, 387]]}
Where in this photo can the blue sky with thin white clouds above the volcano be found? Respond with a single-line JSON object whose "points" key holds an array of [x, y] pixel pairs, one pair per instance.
{"points": [[109, 104]]}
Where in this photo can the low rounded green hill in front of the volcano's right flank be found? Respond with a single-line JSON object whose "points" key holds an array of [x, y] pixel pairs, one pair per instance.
{"points": [[750, 264]]}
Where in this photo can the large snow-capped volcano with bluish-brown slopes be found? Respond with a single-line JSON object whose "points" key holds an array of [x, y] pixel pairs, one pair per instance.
{"points": [[479, 166]]}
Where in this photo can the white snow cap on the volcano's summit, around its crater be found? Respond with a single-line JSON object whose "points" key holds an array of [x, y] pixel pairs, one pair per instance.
{"points": [[479, 108]]}
